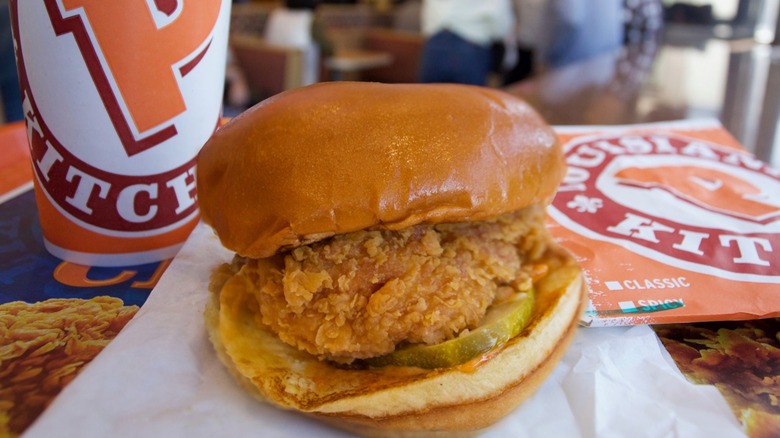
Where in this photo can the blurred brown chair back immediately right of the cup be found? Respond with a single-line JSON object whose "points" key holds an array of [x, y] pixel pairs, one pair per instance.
{"points": [[268, 69]]}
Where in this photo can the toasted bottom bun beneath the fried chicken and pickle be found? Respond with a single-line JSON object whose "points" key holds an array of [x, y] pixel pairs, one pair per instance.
{"points": [[396, 401]]}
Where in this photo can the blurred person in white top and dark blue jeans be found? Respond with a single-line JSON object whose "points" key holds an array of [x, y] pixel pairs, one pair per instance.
{"points": [[460, 37]]}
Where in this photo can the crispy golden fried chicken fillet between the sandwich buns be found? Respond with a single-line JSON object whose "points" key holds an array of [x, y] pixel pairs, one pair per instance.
{"points": [[358, 295]]}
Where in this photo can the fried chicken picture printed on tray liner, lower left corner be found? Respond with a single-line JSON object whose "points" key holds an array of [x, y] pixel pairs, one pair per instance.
{"points": [[44, 345]]}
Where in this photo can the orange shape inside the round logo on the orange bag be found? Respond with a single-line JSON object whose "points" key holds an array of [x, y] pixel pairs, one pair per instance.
{"points": [[707, 187]]}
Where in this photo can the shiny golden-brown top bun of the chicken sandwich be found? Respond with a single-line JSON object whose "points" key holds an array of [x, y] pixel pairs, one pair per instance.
{"points": [[339, 157]]}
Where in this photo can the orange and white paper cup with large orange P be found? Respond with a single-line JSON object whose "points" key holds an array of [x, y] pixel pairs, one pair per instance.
{"points": [[118, 97]]}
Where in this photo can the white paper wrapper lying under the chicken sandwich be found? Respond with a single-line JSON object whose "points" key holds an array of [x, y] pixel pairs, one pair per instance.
{"points": [[160, 377]]}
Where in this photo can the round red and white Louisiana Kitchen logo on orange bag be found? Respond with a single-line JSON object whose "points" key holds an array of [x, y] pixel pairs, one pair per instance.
{"points": [[679, 201]]}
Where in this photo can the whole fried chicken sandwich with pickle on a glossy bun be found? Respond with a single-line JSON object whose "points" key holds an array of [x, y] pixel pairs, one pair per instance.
{"points": [[393, 273]]}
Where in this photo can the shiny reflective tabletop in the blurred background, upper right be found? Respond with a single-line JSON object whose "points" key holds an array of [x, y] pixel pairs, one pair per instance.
{"points": [[737, 82]]}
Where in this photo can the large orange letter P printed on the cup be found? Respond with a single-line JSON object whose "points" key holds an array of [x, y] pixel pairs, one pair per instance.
{"points": [[123, 29]]}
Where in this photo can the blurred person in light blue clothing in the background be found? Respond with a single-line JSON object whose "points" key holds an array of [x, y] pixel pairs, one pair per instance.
{"points": [[575, 30]]}
